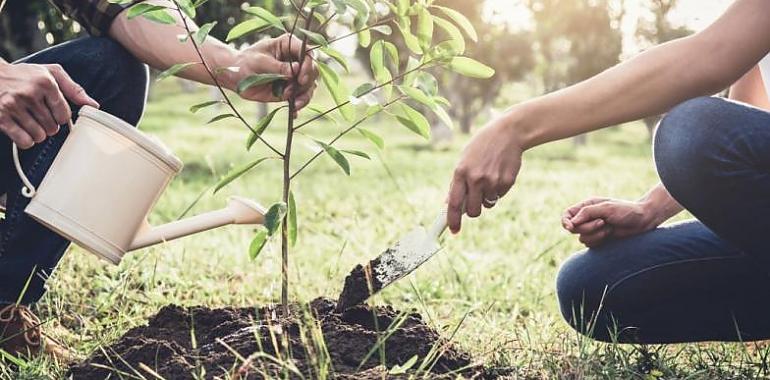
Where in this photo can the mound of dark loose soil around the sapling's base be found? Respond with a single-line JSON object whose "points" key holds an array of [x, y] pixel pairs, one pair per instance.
{"points": [[255, 344]]}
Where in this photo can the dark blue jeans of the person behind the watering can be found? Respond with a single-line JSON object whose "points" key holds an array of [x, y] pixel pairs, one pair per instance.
{"points": [[115, 79]]}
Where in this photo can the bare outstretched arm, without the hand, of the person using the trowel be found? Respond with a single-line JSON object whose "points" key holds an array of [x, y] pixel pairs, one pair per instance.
{"points": [[654, 81]]}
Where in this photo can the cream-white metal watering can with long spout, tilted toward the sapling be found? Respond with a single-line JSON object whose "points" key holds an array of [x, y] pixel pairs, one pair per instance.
{"points": [[103, 184]]}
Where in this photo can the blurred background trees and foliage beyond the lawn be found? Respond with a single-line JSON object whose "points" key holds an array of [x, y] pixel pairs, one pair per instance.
{"points": [[567, 41]]}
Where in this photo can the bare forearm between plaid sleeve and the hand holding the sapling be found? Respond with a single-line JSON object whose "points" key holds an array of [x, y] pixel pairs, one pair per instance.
{"points": [[158, 45]]}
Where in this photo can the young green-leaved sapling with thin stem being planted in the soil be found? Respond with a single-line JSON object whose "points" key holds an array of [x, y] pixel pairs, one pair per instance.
{"points": [[367, 20]]}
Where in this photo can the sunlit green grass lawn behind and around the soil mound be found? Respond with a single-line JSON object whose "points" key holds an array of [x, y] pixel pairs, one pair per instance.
{"points": [[500, 271]]}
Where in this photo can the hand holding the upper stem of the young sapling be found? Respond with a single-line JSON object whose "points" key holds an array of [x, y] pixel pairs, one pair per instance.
{"points": [[277, 56]]}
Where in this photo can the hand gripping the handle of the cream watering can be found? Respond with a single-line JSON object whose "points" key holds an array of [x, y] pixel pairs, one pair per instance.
{"points": [[33, 101]]}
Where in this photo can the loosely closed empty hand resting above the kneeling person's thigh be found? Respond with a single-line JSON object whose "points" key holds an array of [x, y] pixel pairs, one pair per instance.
{"points": [[598, 220]]}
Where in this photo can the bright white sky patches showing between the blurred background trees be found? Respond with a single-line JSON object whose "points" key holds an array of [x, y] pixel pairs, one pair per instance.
{"points": [[696, 14]]}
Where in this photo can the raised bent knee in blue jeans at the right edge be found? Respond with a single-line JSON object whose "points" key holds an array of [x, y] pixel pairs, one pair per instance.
{"points": [[713, 156]]}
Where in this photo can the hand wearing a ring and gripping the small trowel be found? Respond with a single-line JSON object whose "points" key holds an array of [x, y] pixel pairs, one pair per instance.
{"points": [[486, 172]]}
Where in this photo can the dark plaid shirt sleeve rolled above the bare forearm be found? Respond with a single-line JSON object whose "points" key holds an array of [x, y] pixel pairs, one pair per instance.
{"points": [[95, 16]]}
